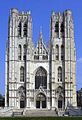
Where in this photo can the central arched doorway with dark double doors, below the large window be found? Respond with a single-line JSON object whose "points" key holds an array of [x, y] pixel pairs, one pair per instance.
{"points": [[41, 101]]}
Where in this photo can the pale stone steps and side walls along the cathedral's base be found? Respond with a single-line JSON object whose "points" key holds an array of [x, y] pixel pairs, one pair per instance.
{"points": [[6, 112]]}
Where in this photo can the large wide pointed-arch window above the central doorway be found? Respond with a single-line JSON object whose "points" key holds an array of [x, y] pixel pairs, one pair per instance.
{"points": [[41, 78]]}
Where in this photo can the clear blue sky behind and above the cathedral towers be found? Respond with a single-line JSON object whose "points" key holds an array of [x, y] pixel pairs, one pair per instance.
{"points": [[41, 12]]}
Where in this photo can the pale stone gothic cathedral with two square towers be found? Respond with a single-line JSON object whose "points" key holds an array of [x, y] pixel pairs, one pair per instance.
{"points": [[41, 77]]}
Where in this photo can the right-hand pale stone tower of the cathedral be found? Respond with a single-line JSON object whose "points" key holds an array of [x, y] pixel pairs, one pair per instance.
{"points": [[63, 54]]}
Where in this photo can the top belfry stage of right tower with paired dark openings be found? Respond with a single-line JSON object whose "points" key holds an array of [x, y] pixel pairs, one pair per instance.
{"points": [[57, 25]]}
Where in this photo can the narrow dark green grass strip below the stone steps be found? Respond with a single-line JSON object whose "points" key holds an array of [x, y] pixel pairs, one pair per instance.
{"points": [[40, 118]]}
